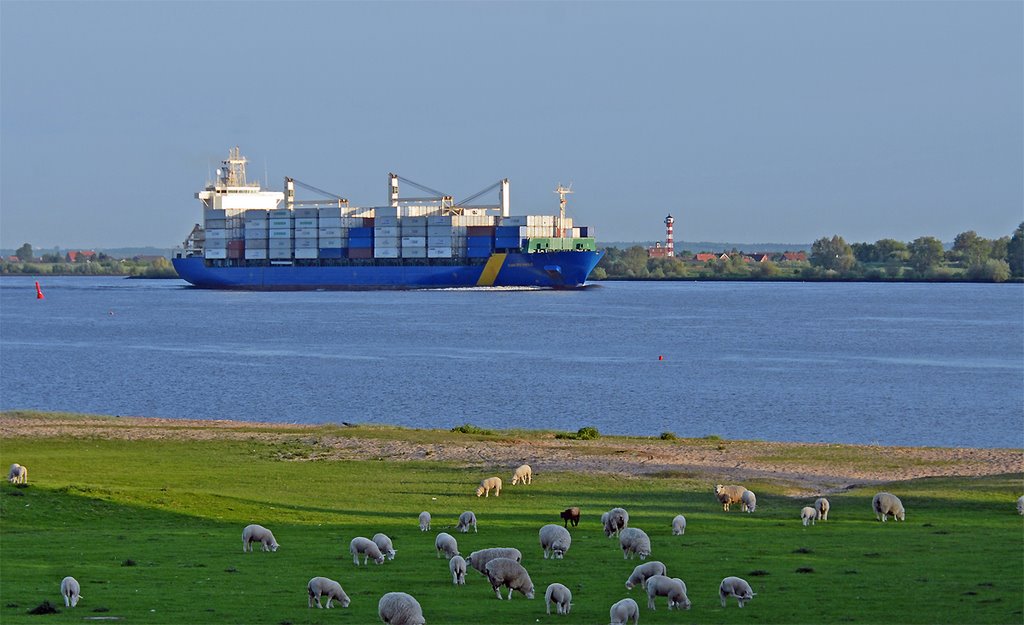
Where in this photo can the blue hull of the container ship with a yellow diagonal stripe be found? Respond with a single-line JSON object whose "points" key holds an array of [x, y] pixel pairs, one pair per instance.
{"points": [[567, 270]]}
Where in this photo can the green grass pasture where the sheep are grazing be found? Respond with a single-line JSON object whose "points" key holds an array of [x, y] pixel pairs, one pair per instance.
{"points": [[152, 530]]}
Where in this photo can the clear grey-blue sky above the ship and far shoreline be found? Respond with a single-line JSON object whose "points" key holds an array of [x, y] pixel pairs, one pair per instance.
{"points": [[749, 122]]}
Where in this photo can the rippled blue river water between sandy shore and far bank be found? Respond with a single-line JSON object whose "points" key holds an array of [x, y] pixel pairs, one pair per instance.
{"points": [[892, 364]]}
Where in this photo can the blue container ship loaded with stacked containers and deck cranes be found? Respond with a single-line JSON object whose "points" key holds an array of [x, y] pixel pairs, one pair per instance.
{"points": [[255, 239]]}
